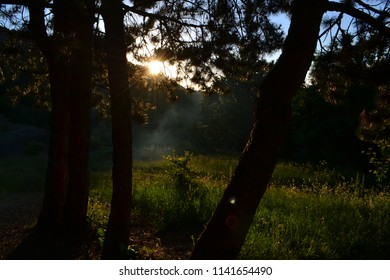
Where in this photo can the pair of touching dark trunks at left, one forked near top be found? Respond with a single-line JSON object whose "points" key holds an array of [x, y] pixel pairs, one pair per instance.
{"points": [[69, 55]]}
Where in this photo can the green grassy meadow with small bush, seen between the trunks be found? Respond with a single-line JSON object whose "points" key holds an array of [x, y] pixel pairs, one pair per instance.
{"points": [[308, 212]]}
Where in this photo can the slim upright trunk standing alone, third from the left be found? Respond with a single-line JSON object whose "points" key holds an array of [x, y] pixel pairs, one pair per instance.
{"points": [[118, 228]]}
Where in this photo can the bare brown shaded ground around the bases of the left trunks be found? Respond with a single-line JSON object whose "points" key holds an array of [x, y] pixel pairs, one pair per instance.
{"points": [[18, 216]]}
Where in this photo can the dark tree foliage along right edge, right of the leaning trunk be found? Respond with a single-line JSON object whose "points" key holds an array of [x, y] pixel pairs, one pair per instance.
{"points": [[353, 76]]}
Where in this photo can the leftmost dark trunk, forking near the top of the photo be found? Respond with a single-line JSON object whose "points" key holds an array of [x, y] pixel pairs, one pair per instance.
{"points": [[52, 213]]}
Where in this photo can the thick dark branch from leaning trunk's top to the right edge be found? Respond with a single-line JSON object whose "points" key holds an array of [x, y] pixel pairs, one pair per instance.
{"points": [[353, 12]]}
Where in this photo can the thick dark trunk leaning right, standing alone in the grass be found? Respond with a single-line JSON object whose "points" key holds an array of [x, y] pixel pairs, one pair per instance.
{"points": [[227, 229]]}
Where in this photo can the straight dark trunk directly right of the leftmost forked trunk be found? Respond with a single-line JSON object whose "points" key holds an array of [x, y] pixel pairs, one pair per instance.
{"points": [[80, 98]]}
